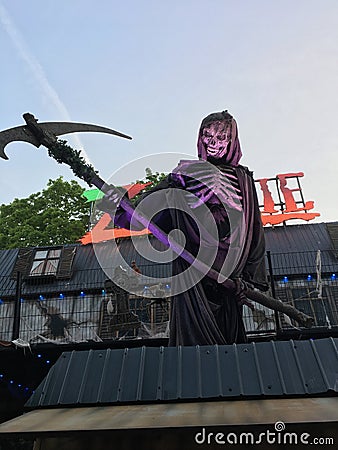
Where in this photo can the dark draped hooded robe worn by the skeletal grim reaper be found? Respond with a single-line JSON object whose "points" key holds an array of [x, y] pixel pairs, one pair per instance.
{"points": [[206, 313]]}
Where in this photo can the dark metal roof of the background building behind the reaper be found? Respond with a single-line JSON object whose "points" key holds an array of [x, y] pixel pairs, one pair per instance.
{"points": [[293, 250]]}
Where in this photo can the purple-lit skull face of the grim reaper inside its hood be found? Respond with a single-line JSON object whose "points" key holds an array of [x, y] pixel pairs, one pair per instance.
{"points": [[216, 138]]}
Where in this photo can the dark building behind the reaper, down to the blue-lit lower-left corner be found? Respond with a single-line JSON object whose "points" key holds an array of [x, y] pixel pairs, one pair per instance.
{"points": [[34, 306]]}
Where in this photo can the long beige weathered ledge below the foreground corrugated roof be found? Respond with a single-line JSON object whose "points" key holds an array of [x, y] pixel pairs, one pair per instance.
{"points": [[175, 415]]}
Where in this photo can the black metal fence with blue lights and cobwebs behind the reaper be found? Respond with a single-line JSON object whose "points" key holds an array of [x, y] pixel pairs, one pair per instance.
{"points": [[38, 312]]}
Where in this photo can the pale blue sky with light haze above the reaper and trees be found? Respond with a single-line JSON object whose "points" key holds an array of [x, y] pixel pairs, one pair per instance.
{"points": [[154, 69]]}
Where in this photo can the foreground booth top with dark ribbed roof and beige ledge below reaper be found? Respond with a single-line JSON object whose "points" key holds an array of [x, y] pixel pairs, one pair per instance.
{"points": [[181, 397]]}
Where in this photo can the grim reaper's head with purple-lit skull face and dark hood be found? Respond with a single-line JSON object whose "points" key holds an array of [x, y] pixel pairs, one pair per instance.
{"points": [[218, 139]]}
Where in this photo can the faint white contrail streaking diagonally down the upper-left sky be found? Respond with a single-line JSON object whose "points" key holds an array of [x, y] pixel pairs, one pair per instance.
{"points": [[37, 71]]}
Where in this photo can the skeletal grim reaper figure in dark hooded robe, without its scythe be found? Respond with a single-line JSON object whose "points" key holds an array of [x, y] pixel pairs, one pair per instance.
{"points": [[210, 207]]}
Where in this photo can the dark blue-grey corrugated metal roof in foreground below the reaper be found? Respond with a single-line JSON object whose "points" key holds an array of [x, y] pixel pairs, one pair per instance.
{"points": [[283, 368]]}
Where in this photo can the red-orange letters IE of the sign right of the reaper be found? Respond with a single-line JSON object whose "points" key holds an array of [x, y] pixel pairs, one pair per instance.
{"points": [[281, 202]]}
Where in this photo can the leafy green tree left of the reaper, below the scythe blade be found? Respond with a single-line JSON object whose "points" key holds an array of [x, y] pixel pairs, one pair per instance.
{"points": [[58, 215]]}
